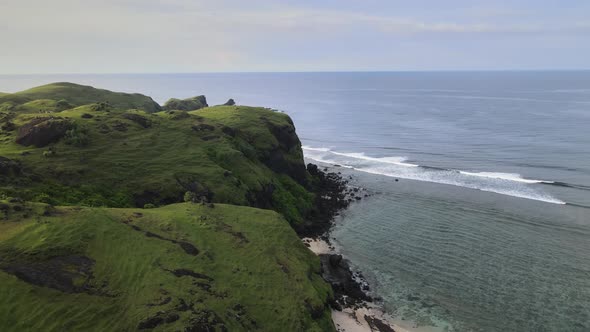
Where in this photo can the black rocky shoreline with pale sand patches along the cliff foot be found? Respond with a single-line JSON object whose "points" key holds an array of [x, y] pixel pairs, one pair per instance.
{"points": [[353, 308]]}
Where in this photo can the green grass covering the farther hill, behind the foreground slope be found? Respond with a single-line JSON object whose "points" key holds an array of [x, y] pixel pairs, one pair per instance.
{"points": [[124, 164]]}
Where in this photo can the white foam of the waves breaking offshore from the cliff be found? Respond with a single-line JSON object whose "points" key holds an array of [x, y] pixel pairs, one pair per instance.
{"points": [[509, 184]]}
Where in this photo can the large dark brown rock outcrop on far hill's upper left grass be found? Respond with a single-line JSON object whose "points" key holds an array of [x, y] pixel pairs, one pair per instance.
{"points": [[42, 131]]}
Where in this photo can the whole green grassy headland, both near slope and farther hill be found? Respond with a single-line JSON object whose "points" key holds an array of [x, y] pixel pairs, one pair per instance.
{"points": [[94, 234]]}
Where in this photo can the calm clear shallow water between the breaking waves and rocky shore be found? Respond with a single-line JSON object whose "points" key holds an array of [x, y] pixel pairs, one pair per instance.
{"points": [[474, 261]]}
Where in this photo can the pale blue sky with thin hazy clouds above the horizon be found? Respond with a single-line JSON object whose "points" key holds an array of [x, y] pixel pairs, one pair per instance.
{"points": [[187, 36]]}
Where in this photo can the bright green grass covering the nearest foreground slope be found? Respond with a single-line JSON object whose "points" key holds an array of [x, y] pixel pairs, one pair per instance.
{"points": [[262, 277]]}
